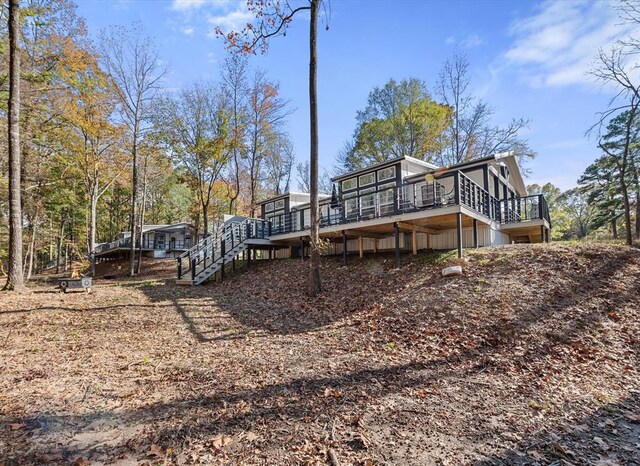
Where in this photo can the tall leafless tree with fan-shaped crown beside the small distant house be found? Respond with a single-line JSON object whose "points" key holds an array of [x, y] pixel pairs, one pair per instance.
{"points": [[132, 60]]}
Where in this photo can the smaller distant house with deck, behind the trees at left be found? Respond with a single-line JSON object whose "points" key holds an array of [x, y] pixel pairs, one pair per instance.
{"points": [[157, 241]]}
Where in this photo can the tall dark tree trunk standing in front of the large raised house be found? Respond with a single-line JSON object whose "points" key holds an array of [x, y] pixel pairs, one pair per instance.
{"points": [[314, 262]]}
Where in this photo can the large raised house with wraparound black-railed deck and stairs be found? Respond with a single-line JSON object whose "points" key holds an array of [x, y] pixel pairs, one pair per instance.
{"points": [[402, 204]]}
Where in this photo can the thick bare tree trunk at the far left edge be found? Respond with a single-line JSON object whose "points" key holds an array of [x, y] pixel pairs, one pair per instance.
{"points": [[15, 279]]}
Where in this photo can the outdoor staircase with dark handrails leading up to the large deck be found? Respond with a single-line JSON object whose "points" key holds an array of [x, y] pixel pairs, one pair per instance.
{"points": [[211, 253]]}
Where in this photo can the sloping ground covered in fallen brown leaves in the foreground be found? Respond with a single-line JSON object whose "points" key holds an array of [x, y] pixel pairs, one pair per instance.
{"points": [[531, 357]]}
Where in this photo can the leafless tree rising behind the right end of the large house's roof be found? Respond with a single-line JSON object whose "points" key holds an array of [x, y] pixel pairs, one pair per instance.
{"points": [[471, 134]]}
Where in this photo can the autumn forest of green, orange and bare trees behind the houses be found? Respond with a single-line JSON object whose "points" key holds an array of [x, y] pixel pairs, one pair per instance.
{"points": [[105, 147]]}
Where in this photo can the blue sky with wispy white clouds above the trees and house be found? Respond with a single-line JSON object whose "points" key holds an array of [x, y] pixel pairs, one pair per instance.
{"points": [[528, 59]]}
